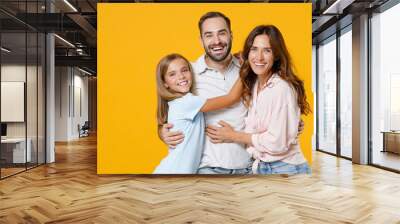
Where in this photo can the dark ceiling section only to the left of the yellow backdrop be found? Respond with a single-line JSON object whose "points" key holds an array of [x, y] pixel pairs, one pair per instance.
{"points": [[72, 20]]}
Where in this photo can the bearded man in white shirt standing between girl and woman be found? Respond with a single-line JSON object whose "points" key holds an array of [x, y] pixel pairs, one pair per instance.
{"points": [[215, 73]]}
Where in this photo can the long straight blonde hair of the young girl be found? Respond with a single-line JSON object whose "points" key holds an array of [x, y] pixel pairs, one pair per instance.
{"points": [[163, 93]]}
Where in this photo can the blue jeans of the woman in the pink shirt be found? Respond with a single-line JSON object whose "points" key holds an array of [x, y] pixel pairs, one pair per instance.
{"points": [[279, 167]]}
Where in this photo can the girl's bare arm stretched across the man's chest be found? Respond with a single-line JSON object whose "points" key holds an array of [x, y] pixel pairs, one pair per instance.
{"points": [[220, 102]]}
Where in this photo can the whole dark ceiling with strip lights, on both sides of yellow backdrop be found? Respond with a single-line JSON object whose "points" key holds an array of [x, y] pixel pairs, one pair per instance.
{"points": [[76, 22]]}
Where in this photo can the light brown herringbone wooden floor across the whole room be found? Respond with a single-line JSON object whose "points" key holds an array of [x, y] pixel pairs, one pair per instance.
{"points": [[70, 191]]}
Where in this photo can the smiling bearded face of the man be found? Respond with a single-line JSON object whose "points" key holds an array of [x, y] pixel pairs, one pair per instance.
{"points": [[216, 38]]}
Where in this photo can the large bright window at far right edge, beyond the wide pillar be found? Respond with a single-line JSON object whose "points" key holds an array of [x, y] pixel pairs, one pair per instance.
{"points": [[385, 88]]}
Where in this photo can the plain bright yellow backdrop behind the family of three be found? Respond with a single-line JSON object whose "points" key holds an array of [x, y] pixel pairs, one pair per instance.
{"points": [[132, 38]]}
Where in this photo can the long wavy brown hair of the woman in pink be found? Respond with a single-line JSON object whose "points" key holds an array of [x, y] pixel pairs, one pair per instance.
{"points": [[282, 66]]}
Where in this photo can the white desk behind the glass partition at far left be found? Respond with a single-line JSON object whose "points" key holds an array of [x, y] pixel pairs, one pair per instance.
{"points": [[16, 148]]}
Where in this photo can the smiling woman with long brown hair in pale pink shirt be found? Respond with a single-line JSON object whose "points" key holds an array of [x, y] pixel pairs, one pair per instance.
{"points": [[276, 98]]}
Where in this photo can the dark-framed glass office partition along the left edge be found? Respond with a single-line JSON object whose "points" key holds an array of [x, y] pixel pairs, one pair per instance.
{"points": [[22, 87]]}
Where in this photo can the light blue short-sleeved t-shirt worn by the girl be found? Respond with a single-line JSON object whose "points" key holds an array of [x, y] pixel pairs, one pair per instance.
{"points": [[186, 116]]}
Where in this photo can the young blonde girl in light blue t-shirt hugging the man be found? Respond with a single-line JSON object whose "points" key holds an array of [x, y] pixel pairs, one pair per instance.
{"points": [[179, 106]]}
